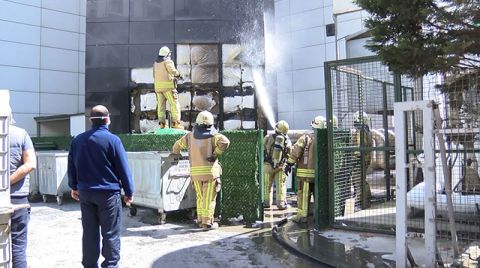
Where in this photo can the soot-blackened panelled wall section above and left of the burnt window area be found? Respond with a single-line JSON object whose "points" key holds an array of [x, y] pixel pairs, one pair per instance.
{"points": [[126, 34]]}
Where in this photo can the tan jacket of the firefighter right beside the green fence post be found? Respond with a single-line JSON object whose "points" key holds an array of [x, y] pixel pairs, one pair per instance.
{"points": [[303, 154]]}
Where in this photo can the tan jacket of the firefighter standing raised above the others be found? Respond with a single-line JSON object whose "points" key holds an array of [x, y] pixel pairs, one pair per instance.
{"points": [[164, 74]]}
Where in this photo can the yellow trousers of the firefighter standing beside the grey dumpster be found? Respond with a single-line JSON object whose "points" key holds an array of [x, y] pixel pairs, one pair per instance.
{"points": [[206, 192]]}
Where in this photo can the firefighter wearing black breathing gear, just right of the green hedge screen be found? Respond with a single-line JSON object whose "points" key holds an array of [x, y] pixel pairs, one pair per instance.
{"points": [[277, 147]]}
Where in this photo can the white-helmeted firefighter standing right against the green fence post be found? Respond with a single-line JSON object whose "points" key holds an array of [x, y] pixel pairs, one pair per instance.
{"points": [[303, 155]]}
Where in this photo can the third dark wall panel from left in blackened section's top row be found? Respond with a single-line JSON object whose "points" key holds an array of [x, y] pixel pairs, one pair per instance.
{"points": [[196, 9]]}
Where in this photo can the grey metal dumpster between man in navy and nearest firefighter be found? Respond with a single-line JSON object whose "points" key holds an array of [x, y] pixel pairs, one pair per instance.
{"points": [[161, 183]]}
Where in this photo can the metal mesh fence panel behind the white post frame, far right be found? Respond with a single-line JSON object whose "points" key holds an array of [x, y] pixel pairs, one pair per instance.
{"points": [[457, 96]]}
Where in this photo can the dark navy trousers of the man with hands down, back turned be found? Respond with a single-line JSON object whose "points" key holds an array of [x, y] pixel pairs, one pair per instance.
{"points": [[101, 213]]}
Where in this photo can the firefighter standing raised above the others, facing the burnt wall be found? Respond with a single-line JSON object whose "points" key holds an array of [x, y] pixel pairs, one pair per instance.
{"points": [[165, 75]]}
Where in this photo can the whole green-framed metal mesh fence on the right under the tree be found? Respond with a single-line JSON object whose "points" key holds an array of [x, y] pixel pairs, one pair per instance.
{"points": [[361, 148]]}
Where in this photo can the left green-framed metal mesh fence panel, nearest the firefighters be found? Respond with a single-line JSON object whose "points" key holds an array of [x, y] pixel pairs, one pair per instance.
{"points": [[362, 154]]}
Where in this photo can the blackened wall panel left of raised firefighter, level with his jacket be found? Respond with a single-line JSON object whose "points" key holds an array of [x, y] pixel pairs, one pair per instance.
{"points": [[106, 79]]}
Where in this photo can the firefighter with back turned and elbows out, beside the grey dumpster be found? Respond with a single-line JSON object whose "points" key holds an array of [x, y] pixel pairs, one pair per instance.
{"points": [[204, 145]]}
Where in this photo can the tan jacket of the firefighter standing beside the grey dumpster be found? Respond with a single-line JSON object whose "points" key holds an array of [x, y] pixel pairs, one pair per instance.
{"points": [[200, 148]]}
